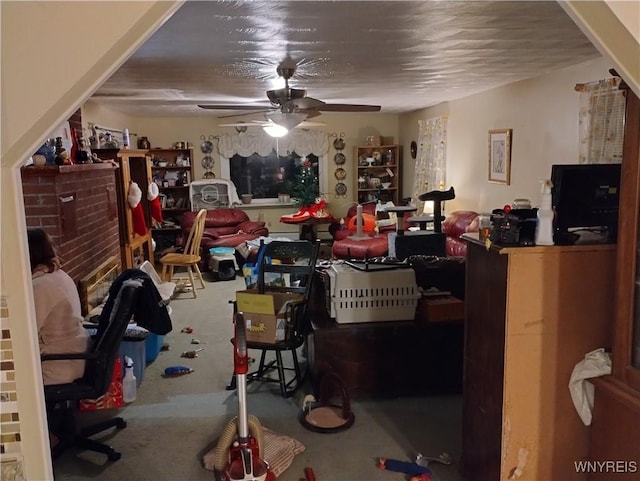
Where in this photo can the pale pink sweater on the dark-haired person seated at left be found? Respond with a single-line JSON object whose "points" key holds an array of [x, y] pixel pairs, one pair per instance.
{"points": [[59, 319]]}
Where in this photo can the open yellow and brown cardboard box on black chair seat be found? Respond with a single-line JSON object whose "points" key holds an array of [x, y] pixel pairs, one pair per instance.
{"points": [[265, 314]]}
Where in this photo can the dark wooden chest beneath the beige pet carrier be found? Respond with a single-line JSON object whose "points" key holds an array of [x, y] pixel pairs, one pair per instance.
{"points": [[387, 359]]}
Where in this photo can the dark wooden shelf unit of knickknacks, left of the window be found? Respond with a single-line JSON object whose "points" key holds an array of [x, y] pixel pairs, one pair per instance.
{"points": [[173, 172]]}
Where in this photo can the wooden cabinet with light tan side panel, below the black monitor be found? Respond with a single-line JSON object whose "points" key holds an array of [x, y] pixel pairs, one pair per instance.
{"points": [[532, 313]]}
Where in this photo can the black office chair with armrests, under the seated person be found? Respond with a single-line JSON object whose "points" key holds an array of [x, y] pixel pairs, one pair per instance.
{"points": [[61, 399]]}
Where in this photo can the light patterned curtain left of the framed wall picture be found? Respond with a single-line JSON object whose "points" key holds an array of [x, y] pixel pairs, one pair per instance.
{"points": [[431, 159]]}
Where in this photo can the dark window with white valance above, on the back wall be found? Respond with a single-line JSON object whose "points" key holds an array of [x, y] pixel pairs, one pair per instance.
{"points": [[267, 176]]}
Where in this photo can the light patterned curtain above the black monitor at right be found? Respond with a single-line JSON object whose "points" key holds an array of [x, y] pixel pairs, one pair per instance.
{"points": [[600, 122]]}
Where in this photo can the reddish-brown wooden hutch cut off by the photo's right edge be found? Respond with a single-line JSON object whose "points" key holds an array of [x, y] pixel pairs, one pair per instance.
{"points": [[615, 429]]}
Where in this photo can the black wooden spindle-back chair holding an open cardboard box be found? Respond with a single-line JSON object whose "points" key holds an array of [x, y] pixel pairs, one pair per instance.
{"points": [[297, 259]]}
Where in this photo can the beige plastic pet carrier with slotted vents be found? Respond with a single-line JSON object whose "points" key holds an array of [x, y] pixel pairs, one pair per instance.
{"points": [[368, 296]]}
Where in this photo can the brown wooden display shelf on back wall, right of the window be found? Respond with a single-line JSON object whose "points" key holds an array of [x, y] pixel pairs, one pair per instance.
{"points": [[378, 173]]}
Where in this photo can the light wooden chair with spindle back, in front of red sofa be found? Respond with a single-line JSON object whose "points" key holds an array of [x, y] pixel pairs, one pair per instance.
{"points": [[187, 259]]}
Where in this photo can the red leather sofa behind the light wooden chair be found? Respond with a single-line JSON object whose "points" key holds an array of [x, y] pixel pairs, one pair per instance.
{"points": [[224, 228]]}
